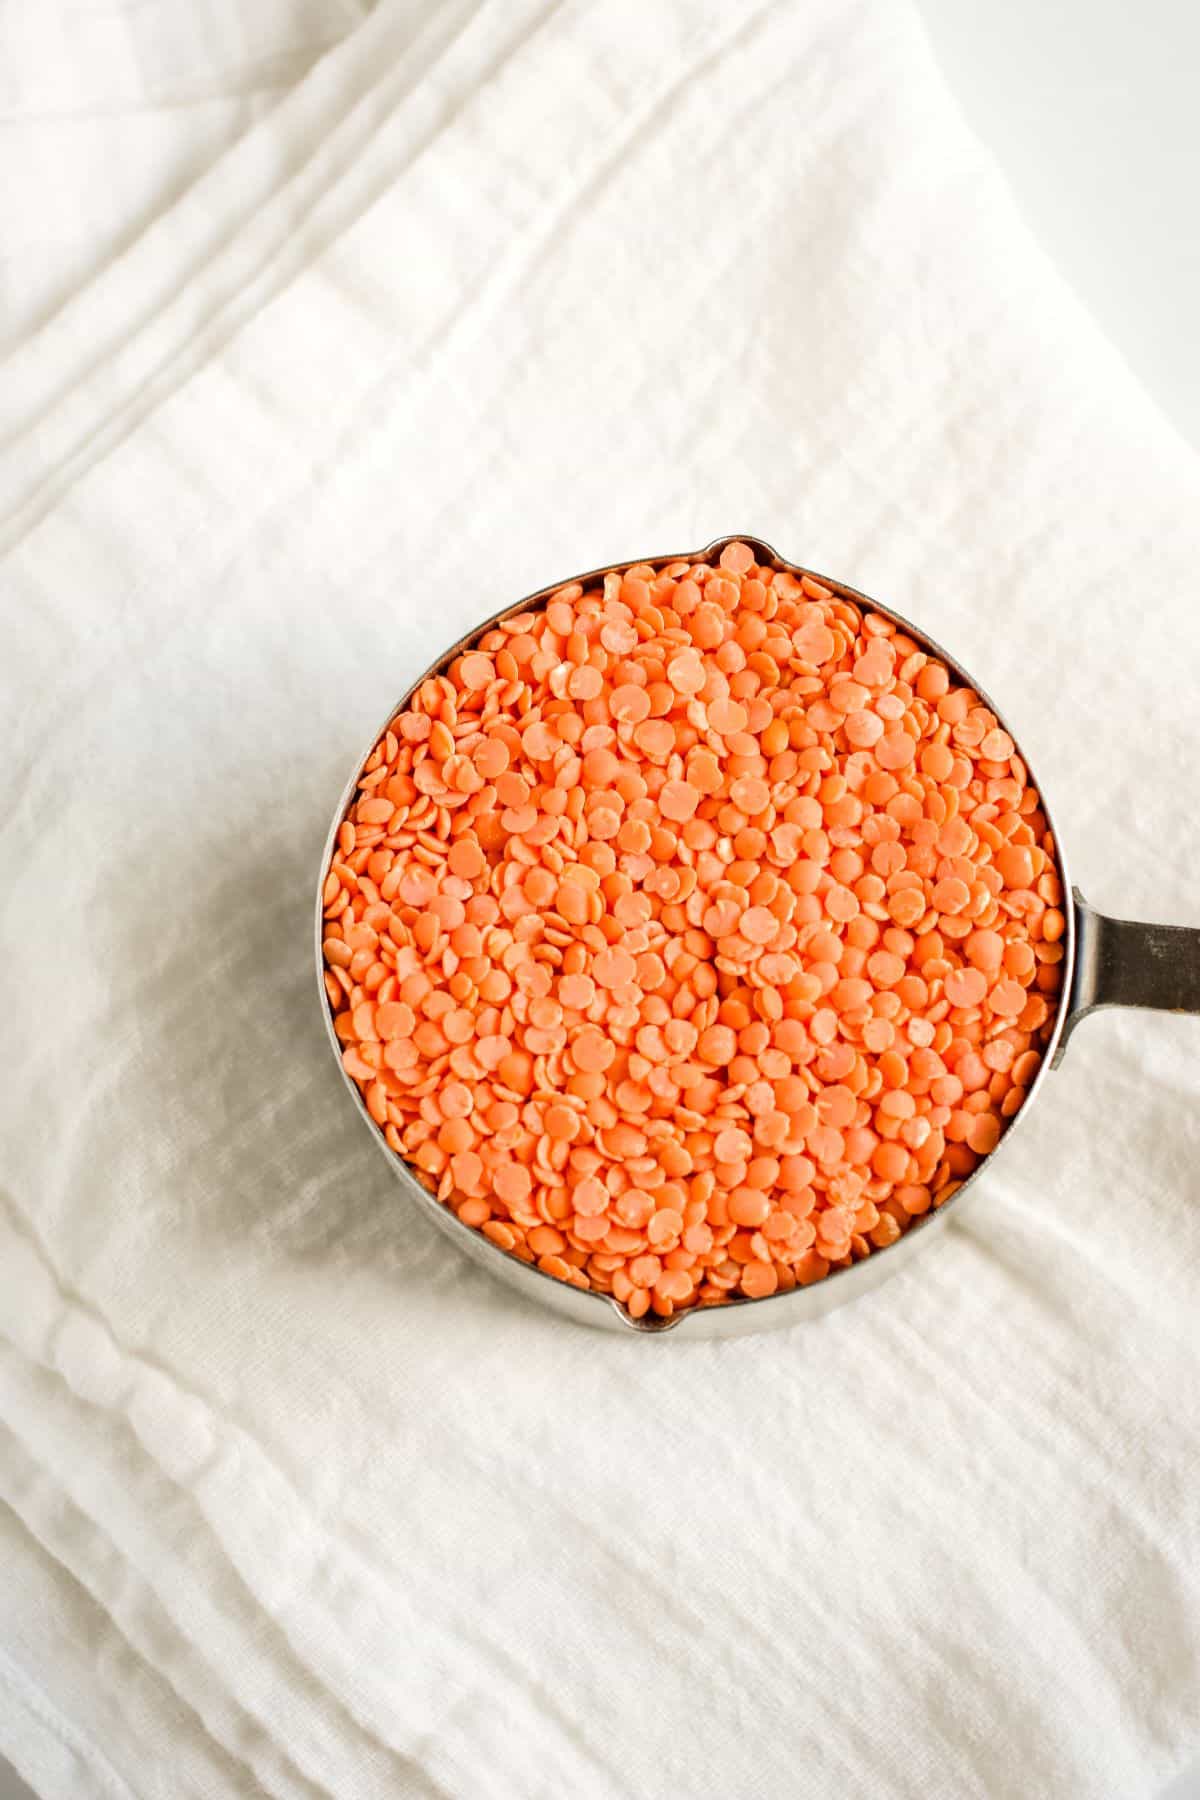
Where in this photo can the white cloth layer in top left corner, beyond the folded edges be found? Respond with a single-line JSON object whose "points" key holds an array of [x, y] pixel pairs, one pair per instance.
{"points": [[107, 112]]}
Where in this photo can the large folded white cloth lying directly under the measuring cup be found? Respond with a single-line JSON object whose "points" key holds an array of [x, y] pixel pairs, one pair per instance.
{"points": [[298, 1500]]}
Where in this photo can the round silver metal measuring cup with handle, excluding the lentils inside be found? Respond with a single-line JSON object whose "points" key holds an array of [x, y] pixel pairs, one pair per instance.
{"points": [[1107, 962]]}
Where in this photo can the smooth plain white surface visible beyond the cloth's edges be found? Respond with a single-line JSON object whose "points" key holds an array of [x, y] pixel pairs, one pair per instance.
{"points": [[1091, 111]]}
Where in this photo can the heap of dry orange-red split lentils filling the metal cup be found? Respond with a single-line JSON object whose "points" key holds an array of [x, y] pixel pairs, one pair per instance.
{"points": [[694, 935]]}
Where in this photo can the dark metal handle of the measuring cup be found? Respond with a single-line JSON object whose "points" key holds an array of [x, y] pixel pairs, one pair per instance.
{"points": [[1122, 962]]}
